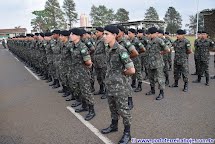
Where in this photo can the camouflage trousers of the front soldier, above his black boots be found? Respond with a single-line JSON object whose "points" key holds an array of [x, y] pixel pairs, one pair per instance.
{"points": [[119, 107]]}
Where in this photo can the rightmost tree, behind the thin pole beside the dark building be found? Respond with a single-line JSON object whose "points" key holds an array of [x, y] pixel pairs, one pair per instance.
{"points": [[193, 23]]}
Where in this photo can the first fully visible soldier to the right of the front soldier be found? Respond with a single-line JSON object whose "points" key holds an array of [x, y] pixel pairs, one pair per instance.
{"points": [[155, 49]]}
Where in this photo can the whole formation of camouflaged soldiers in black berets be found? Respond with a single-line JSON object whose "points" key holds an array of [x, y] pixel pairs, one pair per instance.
{"points": [[71, 57]]}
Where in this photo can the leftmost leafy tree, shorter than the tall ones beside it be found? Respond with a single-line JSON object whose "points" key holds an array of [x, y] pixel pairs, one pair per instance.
{"points": [[40, 22]]}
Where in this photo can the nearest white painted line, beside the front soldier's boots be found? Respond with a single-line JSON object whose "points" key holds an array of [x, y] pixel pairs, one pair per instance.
{"points": [[90, 126]]}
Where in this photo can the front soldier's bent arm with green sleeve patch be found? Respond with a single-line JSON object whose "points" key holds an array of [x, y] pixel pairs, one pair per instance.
{"points": [[127, 62]]}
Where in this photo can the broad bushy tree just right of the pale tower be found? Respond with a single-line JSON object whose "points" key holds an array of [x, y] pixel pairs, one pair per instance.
{"points": [[101, 15]]}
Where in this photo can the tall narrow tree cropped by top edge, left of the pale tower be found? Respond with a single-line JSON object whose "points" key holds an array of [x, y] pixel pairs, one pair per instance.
{"points": [[69, 9]]}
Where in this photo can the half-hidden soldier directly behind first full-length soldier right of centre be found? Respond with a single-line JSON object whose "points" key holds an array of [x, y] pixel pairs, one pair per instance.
{"points": [[165, 56]]}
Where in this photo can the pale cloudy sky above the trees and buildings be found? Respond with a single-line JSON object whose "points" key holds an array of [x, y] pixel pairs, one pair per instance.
{"points": [[18, 12]]}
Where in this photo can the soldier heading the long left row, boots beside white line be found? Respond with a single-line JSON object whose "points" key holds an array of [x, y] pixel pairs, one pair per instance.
{"points": [[79, 78]]}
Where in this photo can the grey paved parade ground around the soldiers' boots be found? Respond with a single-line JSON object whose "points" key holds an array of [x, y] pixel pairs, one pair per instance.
{"points": [[31, 112]]}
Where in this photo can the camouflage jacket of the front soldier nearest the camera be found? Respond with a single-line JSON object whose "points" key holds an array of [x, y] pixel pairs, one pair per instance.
{"points": [[117, 61]]}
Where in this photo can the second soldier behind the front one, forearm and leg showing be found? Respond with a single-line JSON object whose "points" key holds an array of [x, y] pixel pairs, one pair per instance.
{"points": [[137, 63]]}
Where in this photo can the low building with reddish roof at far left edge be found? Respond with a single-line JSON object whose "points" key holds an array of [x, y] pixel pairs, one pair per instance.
{"points": [[5, 33]]}
